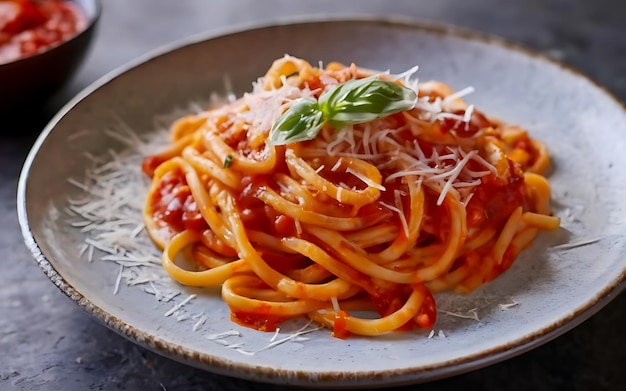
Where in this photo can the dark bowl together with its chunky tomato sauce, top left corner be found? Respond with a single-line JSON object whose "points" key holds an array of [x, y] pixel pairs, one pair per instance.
{"points": [[42, 45]]}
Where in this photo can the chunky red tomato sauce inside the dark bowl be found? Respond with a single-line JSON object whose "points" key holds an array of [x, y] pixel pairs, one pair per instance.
{"points": [[30, 27]]}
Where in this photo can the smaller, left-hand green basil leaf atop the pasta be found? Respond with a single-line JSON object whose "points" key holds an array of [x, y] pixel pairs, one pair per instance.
{"points": [[301, 122]]}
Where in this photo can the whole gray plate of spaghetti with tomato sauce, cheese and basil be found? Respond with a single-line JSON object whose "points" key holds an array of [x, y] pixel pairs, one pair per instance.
{"points": [[362, 203]]}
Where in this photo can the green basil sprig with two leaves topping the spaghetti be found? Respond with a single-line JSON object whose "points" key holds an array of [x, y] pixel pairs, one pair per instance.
{"points": [[353, 102]]}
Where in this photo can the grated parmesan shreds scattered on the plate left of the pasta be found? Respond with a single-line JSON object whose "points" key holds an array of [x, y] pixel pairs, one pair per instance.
{"points": [[108, 212]]}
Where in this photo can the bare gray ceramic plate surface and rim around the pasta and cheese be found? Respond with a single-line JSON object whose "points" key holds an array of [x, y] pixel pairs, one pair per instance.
{"points": [[553, 289]]}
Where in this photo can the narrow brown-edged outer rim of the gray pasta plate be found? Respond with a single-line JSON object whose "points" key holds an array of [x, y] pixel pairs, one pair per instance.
{"points": [[326, 379]]}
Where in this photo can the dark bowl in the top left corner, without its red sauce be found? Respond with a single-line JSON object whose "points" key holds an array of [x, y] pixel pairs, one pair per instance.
{"points": [[30, 81]]}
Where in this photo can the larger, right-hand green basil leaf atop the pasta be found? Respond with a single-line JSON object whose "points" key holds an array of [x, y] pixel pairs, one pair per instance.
{"points": [[364, 100]]}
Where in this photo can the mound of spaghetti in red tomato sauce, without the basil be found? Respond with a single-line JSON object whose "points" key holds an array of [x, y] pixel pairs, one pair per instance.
{"points": [[369, 217]]}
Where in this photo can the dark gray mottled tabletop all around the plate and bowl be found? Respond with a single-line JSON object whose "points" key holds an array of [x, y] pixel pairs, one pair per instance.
{"points": [[47, 342]]}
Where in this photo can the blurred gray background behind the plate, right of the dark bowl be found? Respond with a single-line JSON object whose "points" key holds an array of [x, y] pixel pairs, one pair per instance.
{"points": [[584, 34]]}
